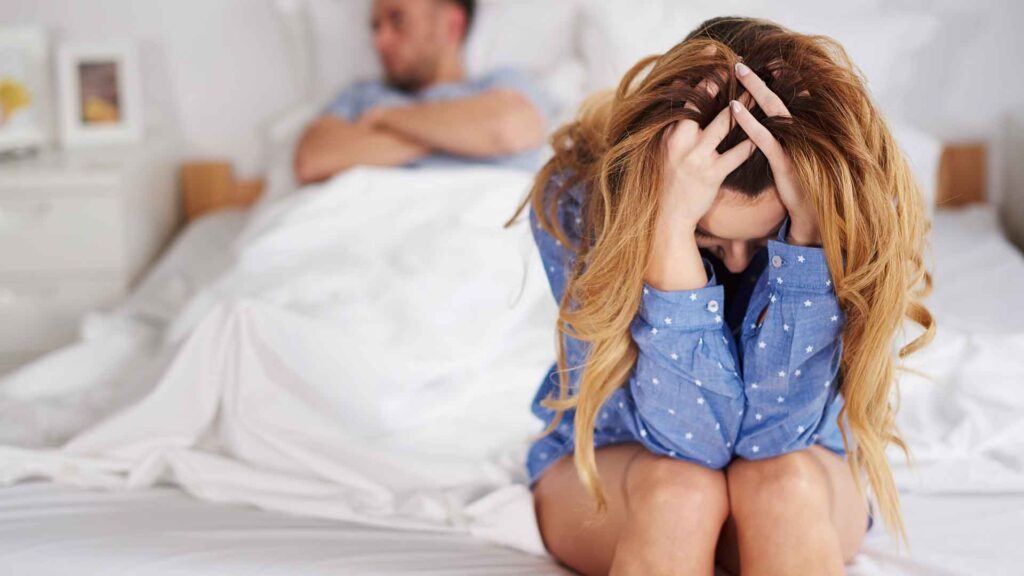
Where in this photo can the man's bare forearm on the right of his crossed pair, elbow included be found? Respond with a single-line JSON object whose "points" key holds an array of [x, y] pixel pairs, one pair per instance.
{"points": [[497, 122]]}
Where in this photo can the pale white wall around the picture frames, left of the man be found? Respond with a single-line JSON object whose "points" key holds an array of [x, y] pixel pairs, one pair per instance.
{"points": [[214, 71]]}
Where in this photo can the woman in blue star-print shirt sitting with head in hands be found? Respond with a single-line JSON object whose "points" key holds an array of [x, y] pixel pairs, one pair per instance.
{"points": [[724, 368]]}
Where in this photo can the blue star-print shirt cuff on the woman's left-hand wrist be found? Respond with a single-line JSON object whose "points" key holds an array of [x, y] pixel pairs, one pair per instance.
{"points": [[675, 310]]}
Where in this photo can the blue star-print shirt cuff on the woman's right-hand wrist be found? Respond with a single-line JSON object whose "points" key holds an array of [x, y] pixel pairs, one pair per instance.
{"points": [[800, 268]]}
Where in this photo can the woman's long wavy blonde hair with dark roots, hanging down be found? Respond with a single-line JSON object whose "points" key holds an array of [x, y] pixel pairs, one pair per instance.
{"points": [[873, 221]]}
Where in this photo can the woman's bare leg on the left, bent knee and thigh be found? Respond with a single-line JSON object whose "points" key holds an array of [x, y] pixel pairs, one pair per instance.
{"points": [[665, 516]]}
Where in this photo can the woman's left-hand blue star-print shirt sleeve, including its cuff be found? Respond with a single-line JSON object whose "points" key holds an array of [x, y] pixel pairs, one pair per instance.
{"points": [[685, 396]]}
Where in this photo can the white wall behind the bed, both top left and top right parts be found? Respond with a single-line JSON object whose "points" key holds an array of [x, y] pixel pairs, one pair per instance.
{"points": [[217, 70]]}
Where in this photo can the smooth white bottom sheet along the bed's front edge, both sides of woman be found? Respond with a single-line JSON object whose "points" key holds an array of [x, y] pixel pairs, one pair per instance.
{"points": [[49, 529]]}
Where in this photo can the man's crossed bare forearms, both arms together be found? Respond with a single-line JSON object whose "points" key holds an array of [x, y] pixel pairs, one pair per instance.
{"points": [[496, 122]]}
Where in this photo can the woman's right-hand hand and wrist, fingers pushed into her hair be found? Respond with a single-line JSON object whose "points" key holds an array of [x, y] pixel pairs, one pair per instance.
{"points": [[803, 219]]}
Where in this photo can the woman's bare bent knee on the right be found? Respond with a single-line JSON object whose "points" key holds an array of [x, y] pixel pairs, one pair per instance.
{"points": [[795, 514]]}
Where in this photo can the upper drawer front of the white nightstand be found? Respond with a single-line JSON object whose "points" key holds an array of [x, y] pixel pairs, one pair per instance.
{"points": [[67, 233]]}
